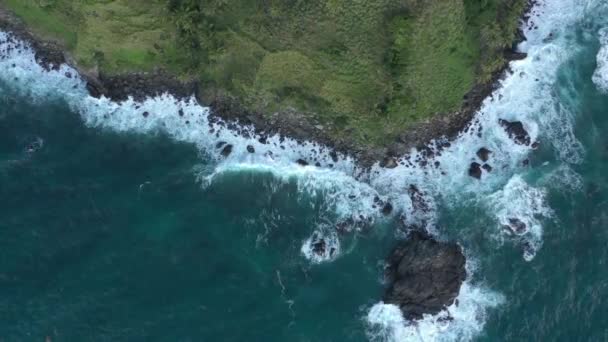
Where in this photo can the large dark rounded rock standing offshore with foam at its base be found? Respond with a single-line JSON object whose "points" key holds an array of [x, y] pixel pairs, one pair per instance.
{"points": [[424, 275]]}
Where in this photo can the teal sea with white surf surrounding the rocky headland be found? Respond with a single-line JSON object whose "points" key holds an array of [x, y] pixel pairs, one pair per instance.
{"points": [[115, 226]]}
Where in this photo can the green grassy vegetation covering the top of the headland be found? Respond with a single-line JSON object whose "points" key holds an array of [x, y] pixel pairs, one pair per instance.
{"points": [[368, 69]]}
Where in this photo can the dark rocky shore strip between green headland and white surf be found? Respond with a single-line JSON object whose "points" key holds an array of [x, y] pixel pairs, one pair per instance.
{"points": [[300, 126]]}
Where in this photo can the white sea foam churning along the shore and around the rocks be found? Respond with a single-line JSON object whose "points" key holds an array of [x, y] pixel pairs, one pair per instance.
{"points": [[526, 95]]}
